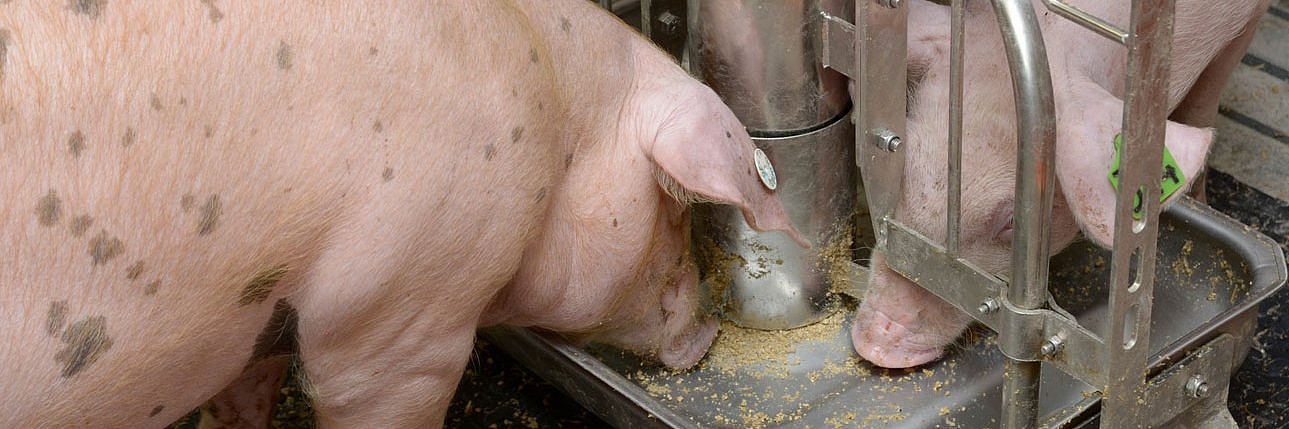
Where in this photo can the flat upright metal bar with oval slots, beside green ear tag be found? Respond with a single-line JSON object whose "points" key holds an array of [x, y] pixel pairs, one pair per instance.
{"points": [[1134, 266]]}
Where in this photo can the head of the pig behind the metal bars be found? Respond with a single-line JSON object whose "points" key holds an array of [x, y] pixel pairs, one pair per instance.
{"points": [[902, 325]]}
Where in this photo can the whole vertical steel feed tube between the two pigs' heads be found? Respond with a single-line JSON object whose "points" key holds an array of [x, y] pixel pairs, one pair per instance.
{"points": [[764, 60]]}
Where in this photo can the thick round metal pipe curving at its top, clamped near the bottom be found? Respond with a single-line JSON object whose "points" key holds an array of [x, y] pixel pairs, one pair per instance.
{"points": [[1036, 182]]}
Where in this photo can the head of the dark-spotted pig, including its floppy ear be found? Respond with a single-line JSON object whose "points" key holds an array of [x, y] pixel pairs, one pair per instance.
{"points": [[621, 224]]}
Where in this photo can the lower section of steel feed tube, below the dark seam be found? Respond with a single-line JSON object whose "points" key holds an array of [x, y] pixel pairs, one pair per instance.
{"points": [[770, 281]]}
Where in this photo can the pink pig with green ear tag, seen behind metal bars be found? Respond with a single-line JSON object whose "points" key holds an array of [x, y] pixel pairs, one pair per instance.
{"points": [[900, 325]]}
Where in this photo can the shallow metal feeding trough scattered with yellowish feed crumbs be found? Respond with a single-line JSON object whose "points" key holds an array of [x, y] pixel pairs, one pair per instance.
{"points": [[1212, 275]]}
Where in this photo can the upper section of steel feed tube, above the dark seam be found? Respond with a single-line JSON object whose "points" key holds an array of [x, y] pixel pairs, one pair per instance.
{"points": [[762, 59]]}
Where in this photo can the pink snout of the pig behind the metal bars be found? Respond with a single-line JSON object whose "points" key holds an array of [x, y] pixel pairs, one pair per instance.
{"points": [[900, 325]]}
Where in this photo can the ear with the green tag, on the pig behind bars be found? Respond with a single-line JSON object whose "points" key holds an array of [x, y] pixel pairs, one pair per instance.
{"points": [[1089, 122]]}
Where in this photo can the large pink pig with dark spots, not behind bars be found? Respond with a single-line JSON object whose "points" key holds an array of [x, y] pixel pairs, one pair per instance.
{"points": [[387, 176]]}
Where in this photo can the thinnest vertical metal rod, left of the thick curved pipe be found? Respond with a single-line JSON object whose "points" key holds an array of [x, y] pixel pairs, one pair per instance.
{"points": [[956, 127]]}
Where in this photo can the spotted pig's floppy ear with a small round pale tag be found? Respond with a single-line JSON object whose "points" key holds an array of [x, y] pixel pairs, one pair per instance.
{"points": [[703, 154]]}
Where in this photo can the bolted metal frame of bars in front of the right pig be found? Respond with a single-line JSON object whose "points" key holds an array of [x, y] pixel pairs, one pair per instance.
{"points": [[1029, 333]]}
